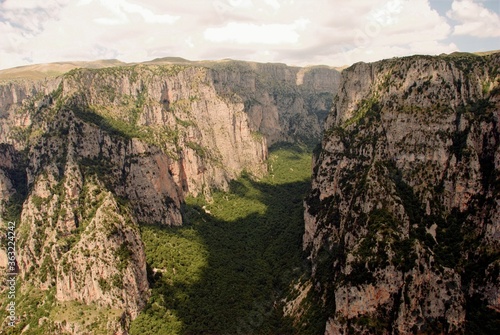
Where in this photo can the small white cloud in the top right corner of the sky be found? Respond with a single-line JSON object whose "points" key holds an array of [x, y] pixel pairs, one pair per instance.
{"points": [[474, 19]]}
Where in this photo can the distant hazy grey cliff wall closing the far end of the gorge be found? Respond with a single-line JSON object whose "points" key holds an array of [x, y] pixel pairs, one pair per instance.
{"points": [[283, 103]]}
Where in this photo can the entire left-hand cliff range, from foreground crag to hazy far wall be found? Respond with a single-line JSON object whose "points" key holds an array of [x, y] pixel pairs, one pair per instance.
{"points": [[91, 155]]}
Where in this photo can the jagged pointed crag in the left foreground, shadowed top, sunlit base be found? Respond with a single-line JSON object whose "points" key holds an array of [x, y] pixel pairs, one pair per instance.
{"points": [[78, 226]]}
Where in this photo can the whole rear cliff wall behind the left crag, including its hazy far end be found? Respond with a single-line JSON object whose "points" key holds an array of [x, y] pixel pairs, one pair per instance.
{"points": [[214, 120]]}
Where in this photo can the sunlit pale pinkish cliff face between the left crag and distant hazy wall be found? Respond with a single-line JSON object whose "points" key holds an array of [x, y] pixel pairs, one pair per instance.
{"points": [[177, 109]]}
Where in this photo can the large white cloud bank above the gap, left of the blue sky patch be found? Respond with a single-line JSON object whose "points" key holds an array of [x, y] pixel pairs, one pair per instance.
{"points": [[383, 30]]}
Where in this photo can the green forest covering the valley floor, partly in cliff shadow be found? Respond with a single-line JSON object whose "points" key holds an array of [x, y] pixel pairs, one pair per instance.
{"points": [[228, 268]]}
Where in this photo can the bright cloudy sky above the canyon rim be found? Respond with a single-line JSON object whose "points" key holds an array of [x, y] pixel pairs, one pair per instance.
{"points": [[296, 32]]}
